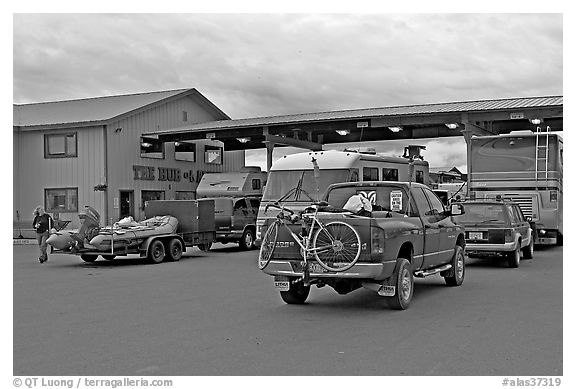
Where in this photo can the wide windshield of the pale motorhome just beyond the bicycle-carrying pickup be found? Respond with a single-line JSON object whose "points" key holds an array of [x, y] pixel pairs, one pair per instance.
{"points": [[300, 185]]}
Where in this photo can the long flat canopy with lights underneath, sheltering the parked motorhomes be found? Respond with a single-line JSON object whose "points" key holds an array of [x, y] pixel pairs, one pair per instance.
{"points": [[312, 130]]}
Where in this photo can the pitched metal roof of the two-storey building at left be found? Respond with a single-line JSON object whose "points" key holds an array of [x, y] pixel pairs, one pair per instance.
{"points": [[97, 109]]}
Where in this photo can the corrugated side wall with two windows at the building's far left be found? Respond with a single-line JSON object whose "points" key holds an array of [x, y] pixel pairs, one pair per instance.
{"points": [[33, 173]]}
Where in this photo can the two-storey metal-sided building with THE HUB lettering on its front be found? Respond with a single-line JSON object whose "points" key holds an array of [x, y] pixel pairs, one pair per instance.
{"points": [[92, 152]]}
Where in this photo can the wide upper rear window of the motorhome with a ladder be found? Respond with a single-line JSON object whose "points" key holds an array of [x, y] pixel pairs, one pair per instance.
{"points": [[510, 154]]}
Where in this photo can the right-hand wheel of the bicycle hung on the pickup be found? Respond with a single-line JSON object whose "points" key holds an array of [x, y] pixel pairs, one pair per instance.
{"points": [[336, 246]]}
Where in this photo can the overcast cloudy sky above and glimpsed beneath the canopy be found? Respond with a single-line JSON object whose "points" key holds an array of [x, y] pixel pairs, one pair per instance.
{"points": [[253, 65]]}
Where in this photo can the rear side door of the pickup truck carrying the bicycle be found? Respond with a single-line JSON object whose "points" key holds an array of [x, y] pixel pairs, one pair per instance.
{"points": [[431, 229]]}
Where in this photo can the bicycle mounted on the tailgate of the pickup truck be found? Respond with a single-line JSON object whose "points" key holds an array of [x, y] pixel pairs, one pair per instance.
{"points": [[335, 245]]}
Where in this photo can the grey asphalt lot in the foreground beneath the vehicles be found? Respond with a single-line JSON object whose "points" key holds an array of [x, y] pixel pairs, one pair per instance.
{"points": [[215, 313]]}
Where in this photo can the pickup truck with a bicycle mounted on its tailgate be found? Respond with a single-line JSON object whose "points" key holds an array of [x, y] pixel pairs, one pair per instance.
{"points": [[407, 234]]}
